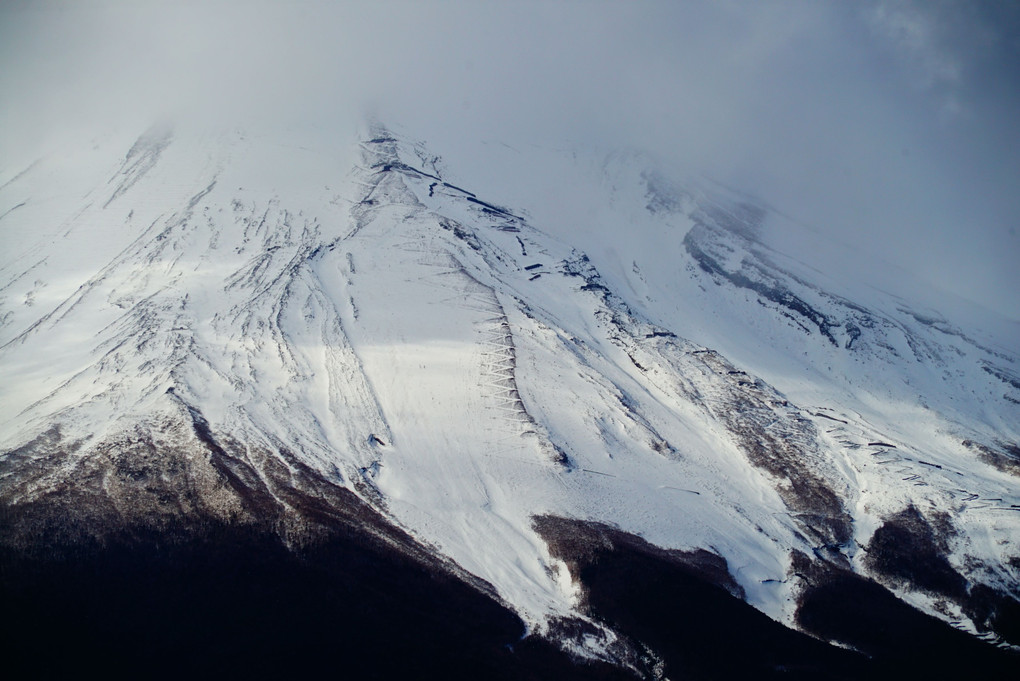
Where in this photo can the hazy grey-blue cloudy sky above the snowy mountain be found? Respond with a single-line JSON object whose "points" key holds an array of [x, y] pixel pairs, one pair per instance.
{"points": [[891, 125]]}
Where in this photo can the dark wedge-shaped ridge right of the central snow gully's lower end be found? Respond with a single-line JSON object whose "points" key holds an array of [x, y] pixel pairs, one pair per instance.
{"points": [[685, 609]]}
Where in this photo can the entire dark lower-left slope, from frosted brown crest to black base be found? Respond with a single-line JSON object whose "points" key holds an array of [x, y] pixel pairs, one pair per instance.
{"points": [[160, 567]]}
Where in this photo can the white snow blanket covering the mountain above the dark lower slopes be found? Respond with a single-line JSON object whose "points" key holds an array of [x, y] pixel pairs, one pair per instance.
{"points": [[450, 359]]}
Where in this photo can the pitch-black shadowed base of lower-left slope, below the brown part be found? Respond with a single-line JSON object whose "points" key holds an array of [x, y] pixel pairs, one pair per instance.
{"points": [[237, 602]]}
